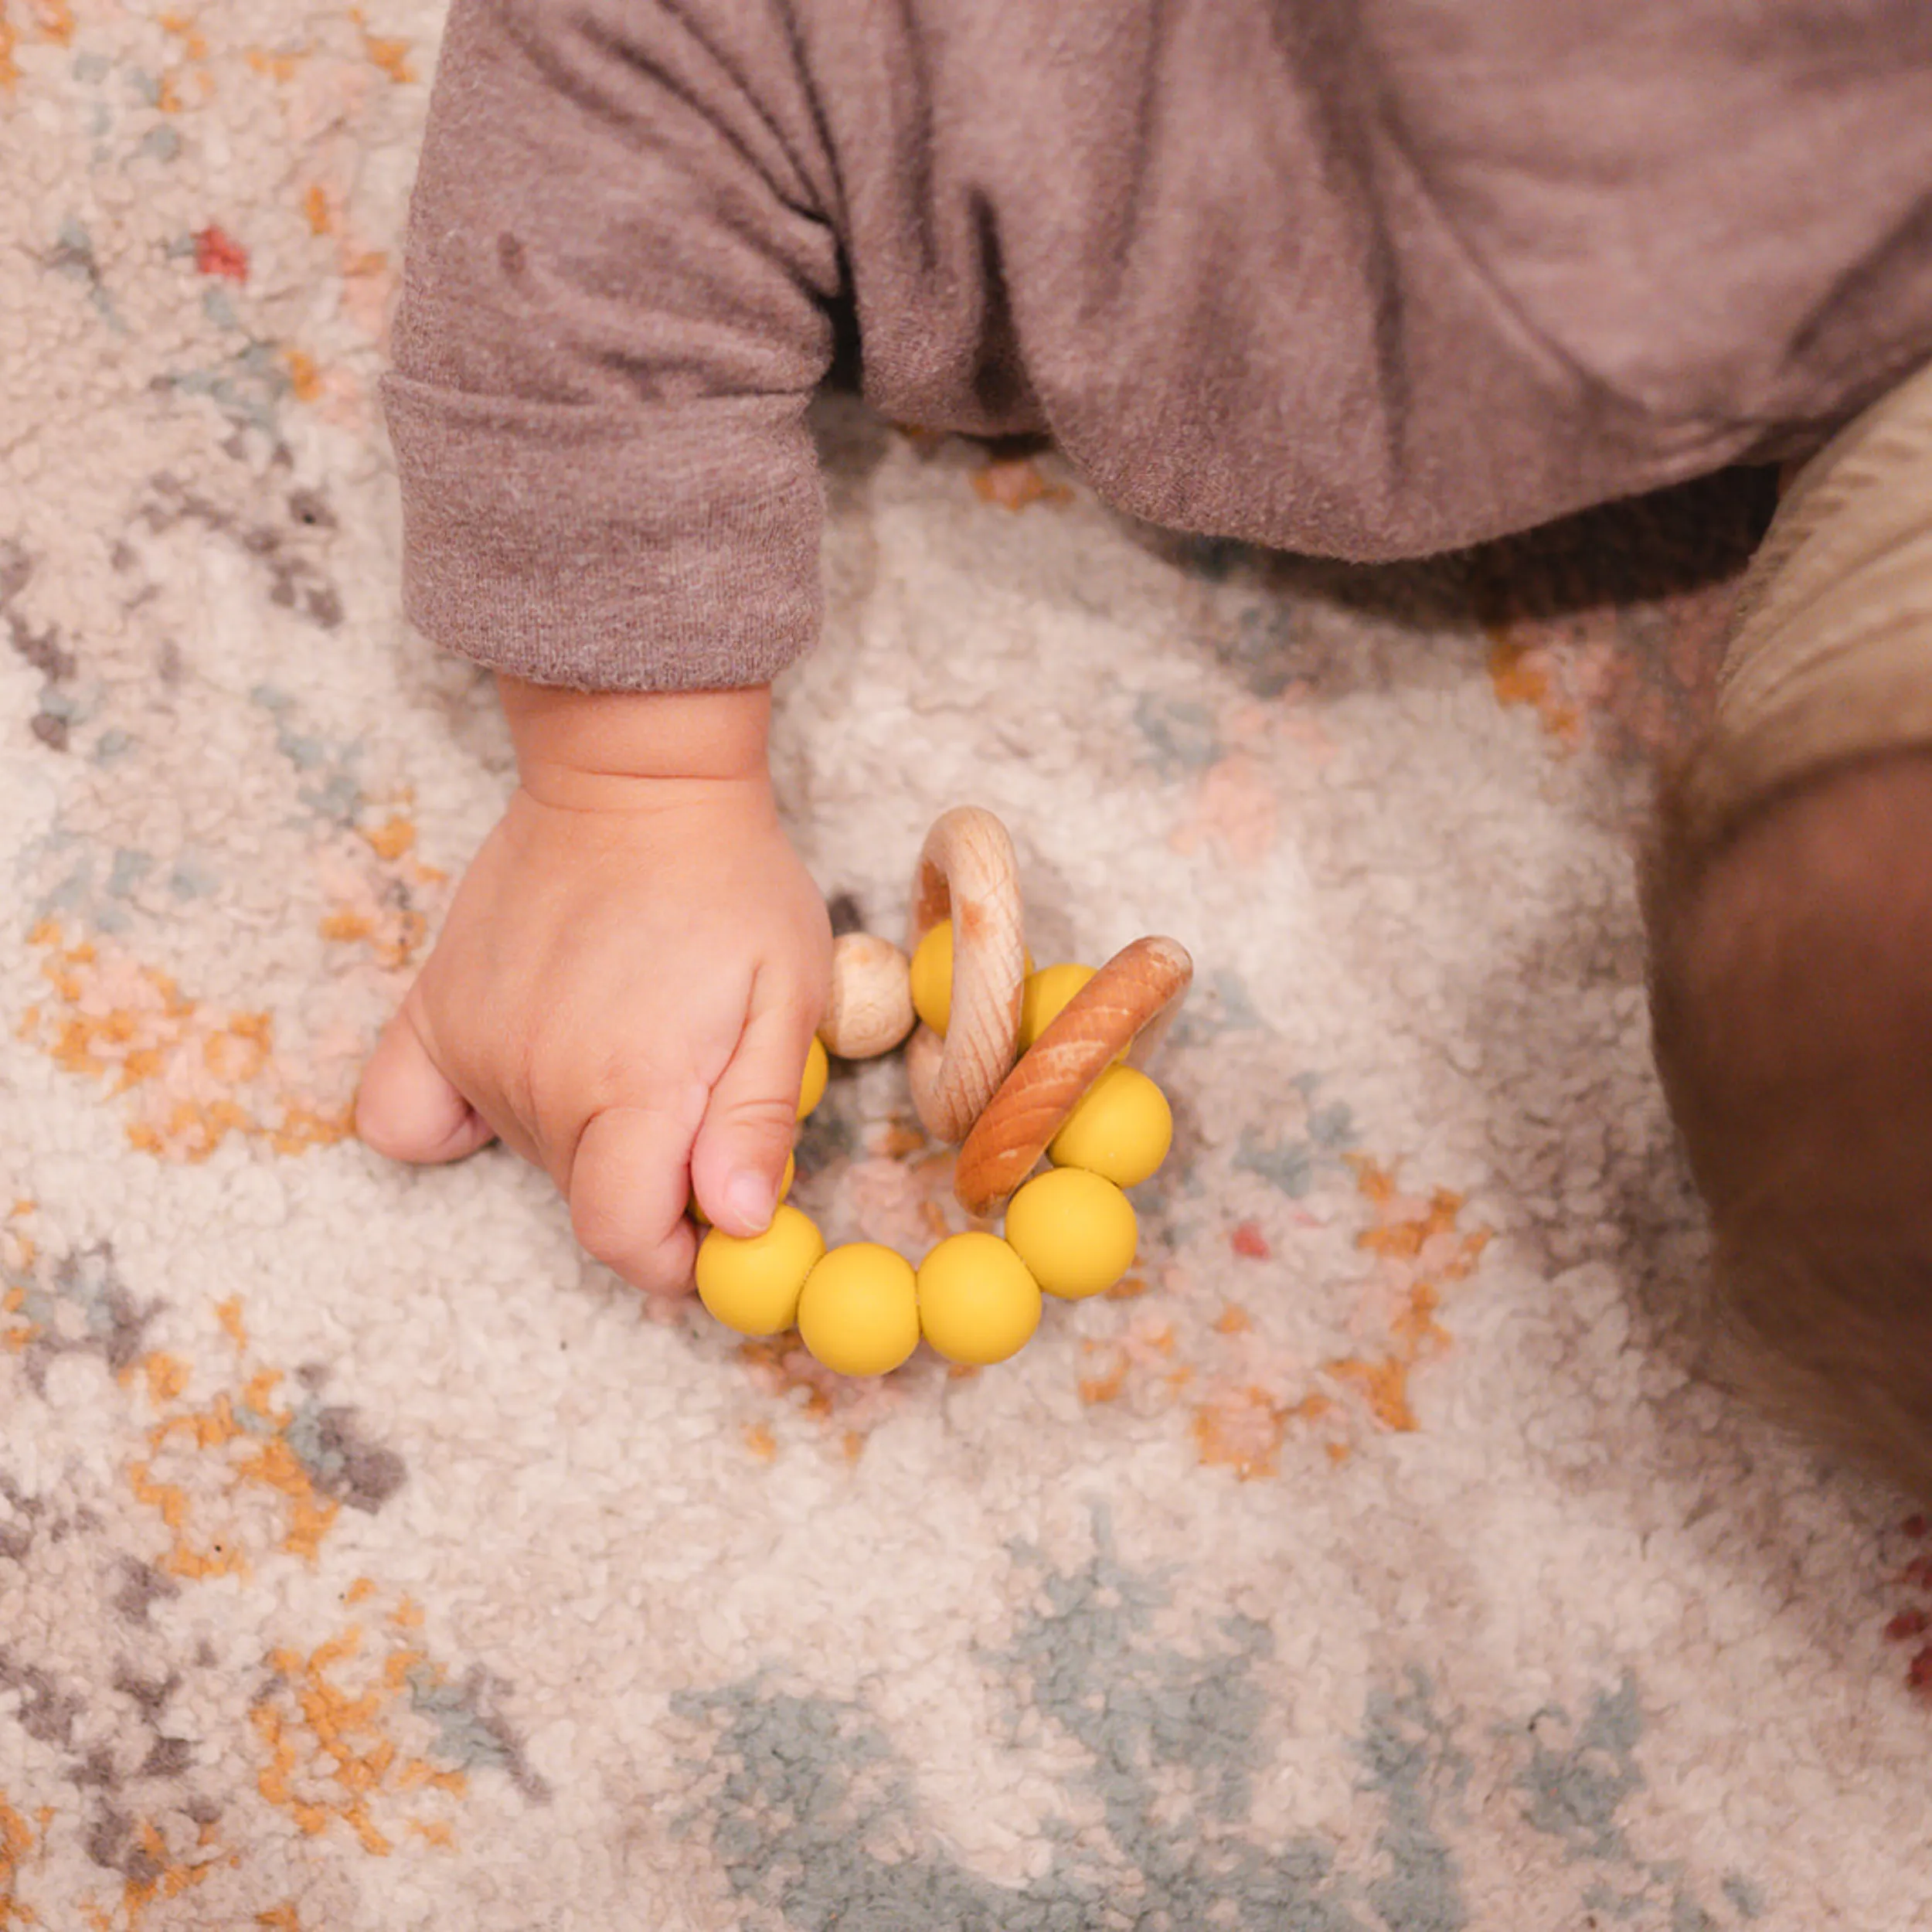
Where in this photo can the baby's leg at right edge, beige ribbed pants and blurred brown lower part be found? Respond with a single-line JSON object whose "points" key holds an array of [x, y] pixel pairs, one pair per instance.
{"points": [[1790, 903]]}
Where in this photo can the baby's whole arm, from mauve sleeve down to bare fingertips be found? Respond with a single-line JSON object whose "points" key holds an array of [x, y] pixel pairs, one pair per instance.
{"points": [[613, 318]]}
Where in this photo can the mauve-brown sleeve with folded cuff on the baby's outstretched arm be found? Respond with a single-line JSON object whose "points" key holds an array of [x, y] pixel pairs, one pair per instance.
{"points": [[613, 316]]}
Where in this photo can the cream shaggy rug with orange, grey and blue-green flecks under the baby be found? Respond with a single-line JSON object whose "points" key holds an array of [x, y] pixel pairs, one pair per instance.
{"points": [[1373, 1562]]}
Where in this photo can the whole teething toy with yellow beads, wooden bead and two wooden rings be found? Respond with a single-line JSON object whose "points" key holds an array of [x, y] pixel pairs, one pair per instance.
{"points": [[1075, 1094]]}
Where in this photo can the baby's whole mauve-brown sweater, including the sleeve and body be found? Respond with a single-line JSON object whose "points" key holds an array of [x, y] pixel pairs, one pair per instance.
{"points": [[1359, 277]]}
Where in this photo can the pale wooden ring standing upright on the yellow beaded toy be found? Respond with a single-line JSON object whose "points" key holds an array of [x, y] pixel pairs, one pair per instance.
{"points": [[969, 874]]}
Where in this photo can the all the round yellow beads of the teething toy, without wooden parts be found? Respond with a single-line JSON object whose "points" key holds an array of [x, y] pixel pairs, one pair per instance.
{"points": [[977, 1299]]}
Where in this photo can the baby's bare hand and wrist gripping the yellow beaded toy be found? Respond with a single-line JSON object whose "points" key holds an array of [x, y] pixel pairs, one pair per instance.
{"points": [[627, 984]]}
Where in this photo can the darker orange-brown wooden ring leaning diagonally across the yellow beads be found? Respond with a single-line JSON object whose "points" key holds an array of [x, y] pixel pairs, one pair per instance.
{"points": [[1125, 1008]]}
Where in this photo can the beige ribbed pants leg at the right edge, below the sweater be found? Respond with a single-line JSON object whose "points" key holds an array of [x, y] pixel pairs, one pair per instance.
{"points": [[1833, 648]]}
